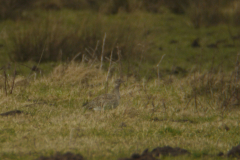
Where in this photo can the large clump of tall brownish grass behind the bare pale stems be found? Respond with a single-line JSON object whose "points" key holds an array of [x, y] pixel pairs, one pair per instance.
{"points": [[62, 39]]}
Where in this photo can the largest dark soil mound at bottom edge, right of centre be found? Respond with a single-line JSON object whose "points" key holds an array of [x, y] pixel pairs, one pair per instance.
{"points": [[163, 151]]}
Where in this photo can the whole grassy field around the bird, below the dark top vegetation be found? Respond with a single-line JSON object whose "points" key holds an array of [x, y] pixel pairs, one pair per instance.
{"points": [[194, 104]]}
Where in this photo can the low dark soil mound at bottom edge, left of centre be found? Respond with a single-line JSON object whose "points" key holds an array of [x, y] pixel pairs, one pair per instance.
{"points": [[66, 156]]}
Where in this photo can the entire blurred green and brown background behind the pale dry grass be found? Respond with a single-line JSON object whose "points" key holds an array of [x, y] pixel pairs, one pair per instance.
{"points": [[189, 32]]}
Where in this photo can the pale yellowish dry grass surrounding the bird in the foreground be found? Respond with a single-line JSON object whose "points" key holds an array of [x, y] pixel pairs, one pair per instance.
{"points": [[150, 114]]}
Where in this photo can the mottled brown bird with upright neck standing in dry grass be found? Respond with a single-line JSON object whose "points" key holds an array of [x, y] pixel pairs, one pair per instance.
{"points": [[106, 101]]}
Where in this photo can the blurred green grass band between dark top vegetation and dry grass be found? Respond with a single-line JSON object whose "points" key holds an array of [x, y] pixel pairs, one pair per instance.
{"points": [[148, 32]]}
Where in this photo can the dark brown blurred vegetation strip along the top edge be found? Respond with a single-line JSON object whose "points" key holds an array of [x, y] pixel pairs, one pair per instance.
{"points": [[200, 11]]}
